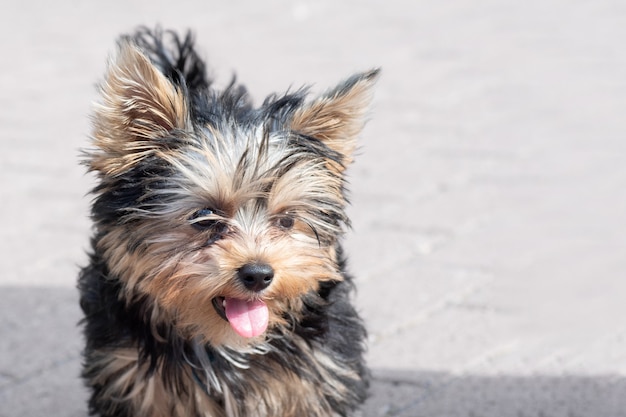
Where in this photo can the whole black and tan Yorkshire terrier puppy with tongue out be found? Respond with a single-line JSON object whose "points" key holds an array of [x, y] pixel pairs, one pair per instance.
{"points": [[216, 284]]}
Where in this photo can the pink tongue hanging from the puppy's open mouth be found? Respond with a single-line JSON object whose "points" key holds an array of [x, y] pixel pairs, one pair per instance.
{"points": [[248, 318]]}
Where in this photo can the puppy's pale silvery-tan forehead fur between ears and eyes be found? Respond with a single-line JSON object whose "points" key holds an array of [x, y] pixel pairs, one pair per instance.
{"points": [[231, 167]]}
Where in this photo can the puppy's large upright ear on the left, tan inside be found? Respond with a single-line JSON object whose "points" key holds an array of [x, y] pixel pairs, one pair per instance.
{"points": [[139, 108]]}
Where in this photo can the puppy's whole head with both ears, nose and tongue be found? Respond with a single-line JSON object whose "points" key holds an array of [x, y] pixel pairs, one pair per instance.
{"points": [[224, 215]]}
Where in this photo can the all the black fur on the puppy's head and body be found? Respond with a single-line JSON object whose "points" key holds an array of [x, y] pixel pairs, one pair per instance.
{"points": [[328, 323]]}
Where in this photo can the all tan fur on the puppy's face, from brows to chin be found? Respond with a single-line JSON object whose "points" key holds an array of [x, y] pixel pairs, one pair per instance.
{"points": [[183, 277]]}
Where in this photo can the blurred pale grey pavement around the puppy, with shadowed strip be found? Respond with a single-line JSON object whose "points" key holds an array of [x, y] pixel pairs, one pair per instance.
{"points": [[489, 195]]}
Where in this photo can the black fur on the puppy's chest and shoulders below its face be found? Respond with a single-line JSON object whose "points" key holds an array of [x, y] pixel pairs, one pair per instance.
{"points": [[330, 323]]}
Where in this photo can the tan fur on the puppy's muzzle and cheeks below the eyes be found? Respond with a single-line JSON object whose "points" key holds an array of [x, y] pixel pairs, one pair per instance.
{"points": [[185, 283]]}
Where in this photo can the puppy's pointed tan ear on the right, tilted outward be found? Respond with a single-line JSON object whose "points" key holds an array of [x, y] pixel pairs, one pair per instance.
{"points": [[337, 117]]}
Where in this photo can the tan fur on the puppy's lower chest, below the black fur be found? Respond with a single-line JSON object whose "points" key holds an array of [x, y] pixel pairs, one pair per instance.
{"points": [[130, 381]]}
